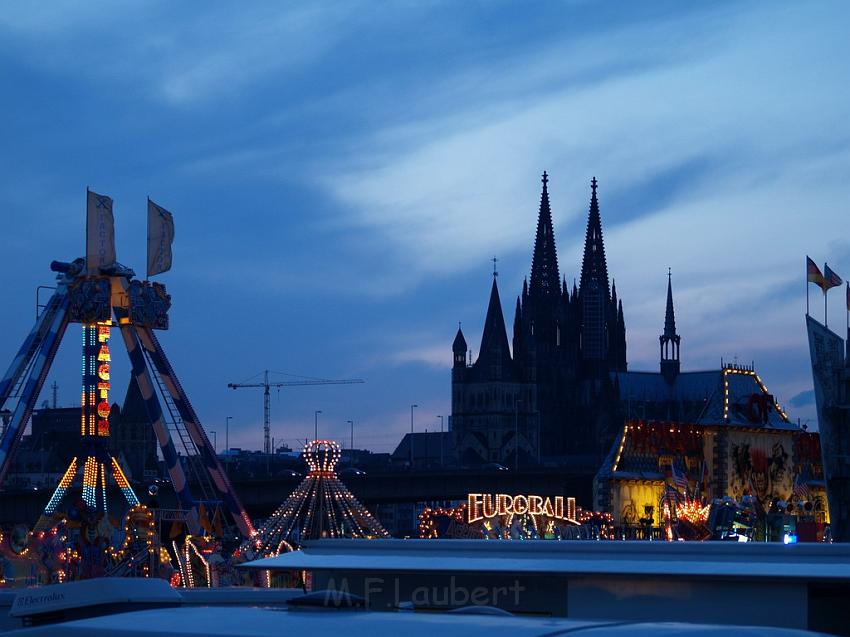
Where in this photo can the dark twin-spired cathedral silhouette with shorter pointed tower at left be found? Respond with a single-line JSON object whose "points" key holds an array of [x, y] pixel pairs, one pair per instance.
{"points": [[551, 398]]}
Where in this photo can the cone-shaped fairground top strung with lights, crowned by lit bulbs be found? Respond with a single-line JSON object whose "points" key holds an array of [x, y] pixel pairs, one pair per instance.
{"points": [[321, 506]]}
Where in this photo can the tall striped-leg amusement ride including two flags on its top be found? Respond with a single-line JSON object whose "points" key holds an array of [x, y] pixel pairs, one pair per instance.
{"points": [[100, 293]]}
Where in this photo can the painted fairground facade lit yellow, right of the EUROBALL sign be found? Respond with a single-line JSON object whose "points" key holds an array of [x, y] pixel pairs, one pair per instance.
{"points": [[741, 468]]}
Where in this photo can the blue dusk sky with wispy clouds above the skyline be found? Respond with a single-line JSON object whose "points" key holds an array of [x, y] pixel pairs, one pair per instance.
{"points": [[341, 175]]}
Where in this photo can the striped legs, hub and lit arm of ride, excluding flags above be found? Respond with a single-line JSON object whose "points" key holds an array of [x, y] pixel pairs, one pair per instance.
{"points": [[99, 300]]}
